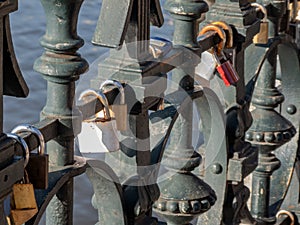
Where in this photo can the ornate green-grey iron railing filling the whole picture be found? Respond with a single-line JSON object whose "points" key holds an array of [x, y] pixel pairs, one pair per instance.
{"points": [[154, 177]]}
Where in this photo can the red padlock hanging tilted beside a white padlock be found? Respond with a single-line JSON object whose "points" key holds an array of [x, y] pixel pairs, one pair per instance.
{"points": [[226, 70]]}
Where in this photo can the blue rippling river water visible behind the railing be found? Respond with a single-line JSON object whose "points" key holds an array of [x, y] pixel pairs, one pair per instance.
{"points": [[28, 25]]}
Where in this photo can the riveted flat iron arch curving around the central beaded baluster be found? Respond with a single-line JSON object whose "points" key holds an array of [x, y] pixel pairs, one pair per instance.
{"points": [[211, 114]]}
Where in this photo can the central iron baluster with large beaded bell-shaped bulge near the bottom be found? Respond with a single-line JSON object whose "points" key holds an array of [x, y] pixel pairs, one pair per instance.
{"points": [[184, 196]]}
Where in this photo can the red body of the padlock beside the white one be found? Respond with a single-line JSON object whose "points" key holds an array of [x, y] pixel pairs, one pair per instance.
{"points": [[228, 73]]}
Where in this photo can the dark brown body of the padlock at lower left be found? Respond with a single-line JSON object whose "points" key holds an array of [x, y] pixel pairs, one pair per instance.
{"points": [[37, 168]]}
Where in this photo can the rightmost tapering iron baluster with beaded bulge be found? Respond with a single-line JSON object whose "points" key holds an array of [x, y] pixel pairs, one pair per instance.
{"points": [[267, 135]]}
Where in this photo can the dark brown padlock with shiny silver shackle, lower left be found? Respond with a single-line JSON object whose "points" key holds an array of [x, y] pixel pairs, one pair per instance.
{"points": [[38, 164]]}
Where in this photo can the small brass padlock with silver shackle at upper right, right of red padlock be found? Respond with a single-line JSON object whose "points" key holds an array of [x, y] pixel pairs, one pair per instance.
{"points": [[263, 36]]}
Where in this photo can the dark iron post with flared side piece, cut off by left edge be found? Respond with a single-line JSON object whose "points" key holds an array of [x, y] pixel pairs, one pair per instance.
{"points": [[13, 84]]}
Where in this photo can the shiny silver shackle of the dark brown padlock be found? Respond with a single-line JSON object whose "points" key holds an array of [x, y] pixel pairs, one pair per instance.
{"points": [[32, 129]]}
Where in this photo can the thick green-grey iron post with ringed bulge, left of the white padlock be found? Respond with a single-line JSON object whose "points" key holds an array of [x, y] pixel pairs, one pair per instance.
{"points": [[61, 66]]}
